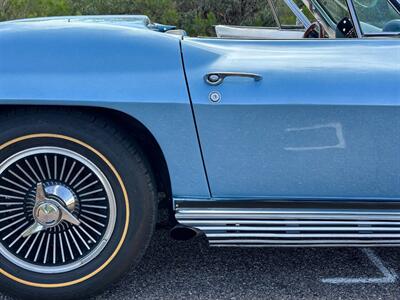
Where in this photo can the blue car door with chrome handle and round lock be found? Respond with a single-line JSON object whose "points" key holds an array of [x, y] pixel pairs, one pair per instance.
{"points": [[318, 119]]}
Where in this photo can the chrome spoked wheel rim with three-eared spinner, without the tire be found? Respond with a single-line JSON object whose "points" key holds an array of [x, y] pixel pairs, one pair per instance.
{"points": [[57, 210]]}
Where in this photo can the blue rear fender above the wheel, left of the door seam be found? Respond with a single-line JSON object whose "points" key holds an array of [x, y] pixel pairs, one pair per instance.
{"points": [[135, 71]]}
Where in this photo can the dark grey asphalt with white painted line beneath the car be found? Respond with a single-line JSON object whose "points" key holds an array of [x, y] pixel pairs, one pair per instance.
{"points": [[192, 270]]}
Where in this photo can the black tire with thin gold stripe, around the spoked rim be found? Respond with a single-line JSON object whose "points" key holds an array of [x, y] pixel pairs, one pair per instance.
{"points": [[124, 165]]}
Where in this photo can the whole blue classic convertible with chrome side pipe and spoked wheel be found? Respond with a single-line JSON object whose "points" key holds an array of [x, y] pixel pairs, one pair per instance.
{"points": [[284, 136]]}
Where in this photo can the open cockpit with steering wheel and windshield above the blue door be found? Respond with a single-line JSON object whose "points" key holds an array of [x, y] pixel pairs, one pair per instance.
{"points": [[329, 19]]}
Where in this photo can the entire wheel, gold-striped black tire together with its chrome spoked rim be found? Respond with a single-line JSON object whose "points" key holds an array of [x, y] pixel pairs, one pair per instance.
{"points": [[78, 202]]}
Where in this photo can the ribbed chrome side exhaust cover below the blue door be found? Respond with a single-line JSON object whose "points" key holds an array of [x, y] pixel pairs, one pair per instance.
{"points": [[295, 227]]}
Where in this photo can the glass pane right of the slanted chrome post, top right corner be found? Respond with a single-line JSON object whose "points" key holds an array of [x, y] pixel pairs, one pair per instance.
{"points": [[377, 16]]}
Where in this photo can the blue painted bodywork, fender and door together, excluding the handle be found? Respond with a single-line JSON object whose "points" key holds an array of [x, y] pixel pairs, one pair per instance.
{"points": [[323, 123]]}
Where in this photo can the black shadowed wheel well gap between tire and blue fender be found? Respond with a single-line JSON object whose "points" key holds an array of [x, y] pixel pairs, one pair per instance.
{"points": [[130, 127]]}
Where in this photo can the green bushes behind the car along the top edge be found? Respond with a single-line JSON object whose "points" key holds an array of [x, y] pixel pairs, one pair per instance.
{"points": [[197, 17]]}
